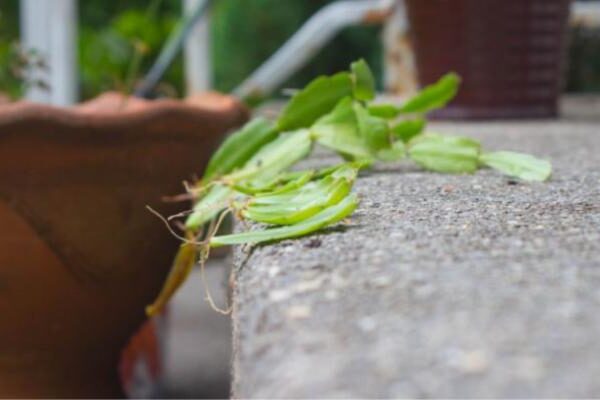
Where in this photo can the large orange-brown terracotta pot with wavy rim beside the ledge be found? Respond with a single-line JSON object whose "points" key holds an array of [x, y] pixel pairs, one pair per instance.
{"points": [[80, 256]]}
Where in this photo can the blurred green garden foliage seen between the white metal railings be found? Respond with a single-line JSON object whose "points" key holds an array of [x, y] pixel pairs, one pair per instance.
{"points": [[110, 34]]}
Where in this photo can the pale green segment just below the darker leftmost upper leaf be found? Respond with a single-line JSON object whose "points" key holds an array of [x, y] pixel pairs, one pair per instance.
{"points": [[274, 157]]}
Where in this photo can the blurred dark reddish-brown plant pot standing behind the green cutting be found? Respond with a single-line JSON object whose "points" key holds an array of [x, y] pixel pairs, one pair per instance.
{"points": [[509, 53]]}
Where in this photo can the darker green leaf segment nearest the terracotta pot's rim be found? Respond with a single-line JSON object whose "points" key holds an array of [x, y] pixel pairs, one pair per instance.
{"points": [[240, 146]]}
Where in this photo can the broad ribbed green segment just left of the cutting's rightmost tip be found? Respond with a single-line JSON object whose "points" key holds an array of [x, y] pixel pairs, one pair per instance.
{"points": [[447, 154]]}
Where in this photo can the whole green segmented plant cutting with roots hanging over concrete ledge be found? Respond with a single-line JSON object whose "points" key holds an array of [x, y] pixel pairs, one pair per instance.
{"points": [[251, 175]]}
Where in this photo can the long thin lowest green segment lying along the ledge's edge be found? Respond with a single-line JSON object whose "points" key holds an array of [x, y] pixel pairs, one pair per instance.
{"points": [[327, 217]]}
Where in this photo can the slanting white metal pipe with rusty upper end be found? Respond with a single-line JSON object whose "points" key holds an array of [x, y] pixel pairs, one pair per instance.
{"points": [[309, 39]]}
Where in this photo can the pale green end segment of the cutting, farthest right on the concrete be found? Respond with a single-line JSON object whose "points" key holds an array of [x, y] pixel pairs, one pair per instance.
{"points": [[518, 165]]}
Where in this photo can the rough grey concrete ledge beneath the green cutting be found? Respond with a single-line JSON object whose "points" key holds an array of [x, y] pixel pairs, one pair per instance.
{"points": [[440, 285]]}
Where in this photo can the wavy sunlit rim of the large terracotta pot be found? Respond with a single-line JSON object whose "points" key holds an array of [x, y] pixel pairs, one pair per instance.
{"points": [[98, 115]]}
